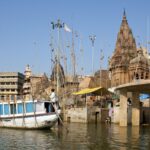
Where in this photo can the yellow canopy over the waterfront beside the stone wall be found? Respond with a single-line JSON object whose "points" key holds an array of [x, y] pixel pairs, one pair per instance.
{"points": [[97, 91]]}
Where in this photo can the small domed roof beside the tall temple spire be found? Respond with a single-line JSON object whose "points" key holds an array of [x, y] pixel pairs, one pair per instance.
{"points": [[140, 58]]}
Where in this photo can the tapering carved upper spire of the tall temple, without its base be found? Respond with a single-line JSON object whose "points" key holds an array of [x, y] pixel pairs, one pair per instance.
{"points": [[125, 45]]}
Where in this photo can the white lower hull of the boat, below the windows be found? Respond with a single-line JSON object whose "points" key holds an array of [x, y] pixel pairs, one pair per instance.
{"points": [[32, 121]]}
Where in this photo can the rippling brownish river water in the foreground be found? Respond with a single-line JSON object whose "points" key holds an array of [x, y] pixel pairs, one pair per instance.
{"points": [[79, 137]]}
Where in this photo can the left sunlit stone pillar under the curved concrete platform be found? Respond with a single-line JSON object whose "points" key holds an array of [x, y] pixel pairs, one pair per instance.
{"points": [[123, 108]]}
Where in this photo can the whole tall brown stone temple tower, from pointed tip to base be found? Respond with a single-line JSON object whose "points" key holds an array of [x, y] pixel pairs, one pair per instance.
{"points": [[124, 52]]}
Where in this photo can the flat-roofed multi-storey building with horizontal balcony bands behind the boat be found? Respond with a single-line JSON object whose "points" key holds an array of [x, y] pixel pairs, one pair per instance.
{"points": [[11, 85]]}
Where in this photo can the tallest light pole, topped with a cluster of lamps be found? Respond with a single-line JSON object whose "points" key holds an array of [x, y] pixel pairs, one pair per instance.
{"points": [[57, 25]]}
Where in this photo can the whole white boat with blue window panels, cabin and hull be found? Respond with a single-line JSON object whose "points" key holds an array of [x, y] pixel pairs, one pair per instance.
{"points": [[28, 115]]}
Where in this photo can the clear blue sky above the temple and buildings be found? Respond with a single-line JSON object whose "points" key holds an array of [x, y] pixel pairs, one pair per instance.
{"points": [[25, 30]]}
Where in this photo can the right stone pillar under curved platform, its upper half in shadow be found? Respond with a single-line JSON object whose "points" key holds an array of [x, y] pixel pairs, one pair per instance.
{"points": [[135, 109]]}
